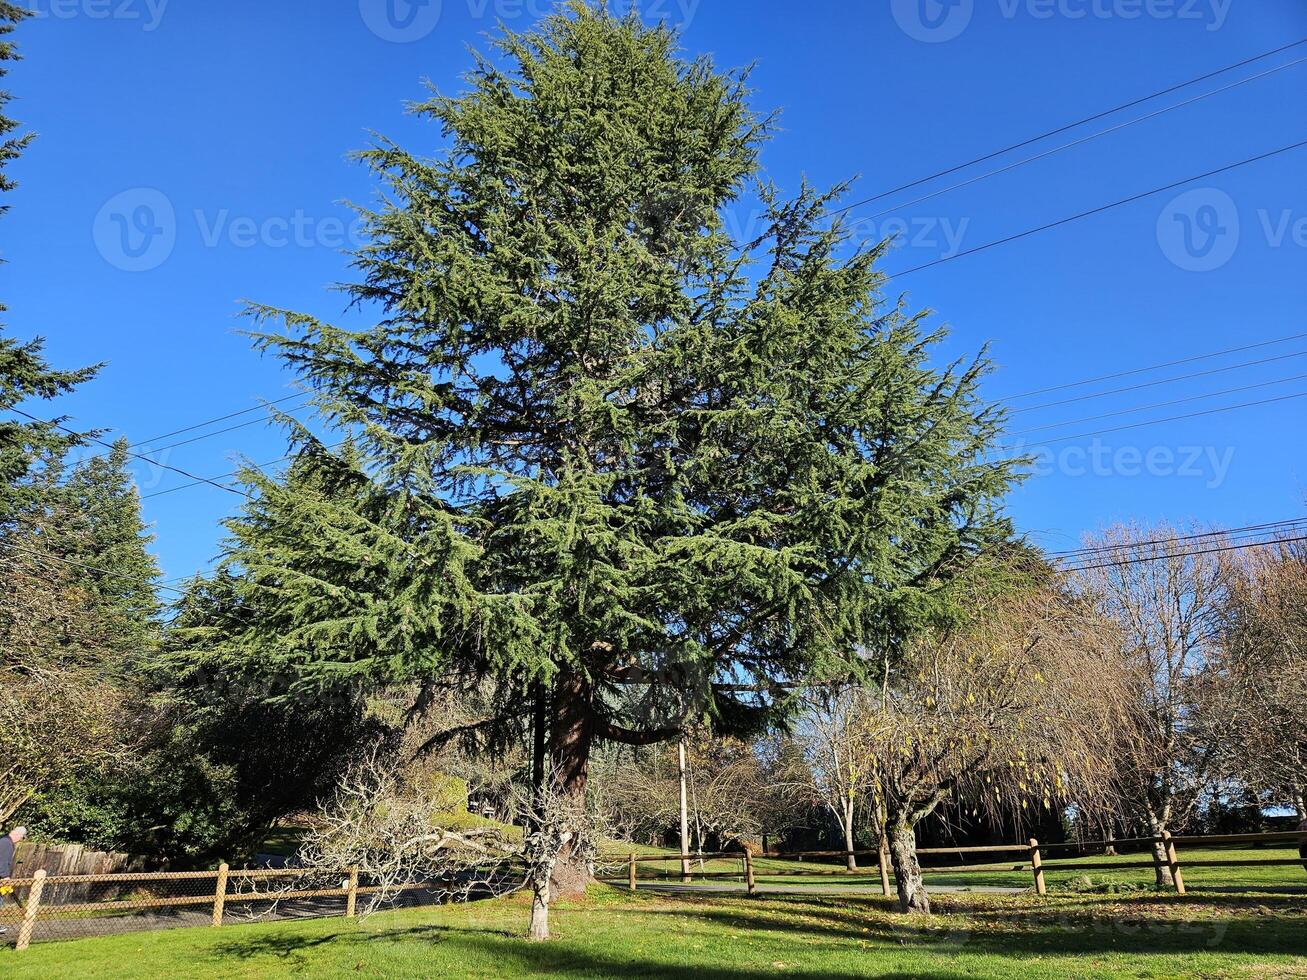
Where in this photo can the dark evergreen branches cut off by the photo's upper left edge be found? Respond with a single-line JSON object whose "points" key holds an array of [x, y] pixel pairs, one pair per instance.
{"points": [[24, 373]]}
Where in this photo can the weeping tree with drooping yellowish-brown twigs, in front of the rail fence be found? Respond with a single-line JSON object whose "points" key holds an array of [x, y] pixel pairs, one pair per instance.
{"points": [[1012, 708]]}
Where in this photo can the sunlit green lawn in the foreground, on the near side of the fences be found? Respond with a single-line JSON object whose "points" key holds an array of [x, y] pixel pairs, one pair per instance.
{"points": [[720, 938]]}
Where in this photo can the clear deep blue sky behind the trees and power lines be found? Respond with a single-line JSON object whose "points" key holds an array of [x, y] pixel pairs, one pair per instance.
{"points": [[237, 117]]}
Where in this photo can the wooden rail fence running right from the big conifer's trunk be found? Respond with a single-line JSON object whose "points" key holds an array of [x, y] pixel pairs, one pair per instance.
{"points": [[1033, 860]]}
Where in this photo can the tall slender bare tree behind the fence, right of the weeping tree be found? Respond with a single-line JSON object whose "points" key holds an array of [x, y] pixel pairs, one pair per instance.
{"points": [[1168, 608]]}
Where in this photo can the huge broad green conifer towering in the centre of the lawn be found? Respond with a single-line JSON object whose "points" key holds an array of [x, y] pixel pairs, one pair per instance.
{"points": [[637, 472]]}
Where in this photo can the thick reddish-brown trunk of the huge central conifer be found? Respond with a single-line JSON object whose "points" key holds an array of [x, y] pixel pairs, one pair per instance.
{"points": [[571, 743]]}
